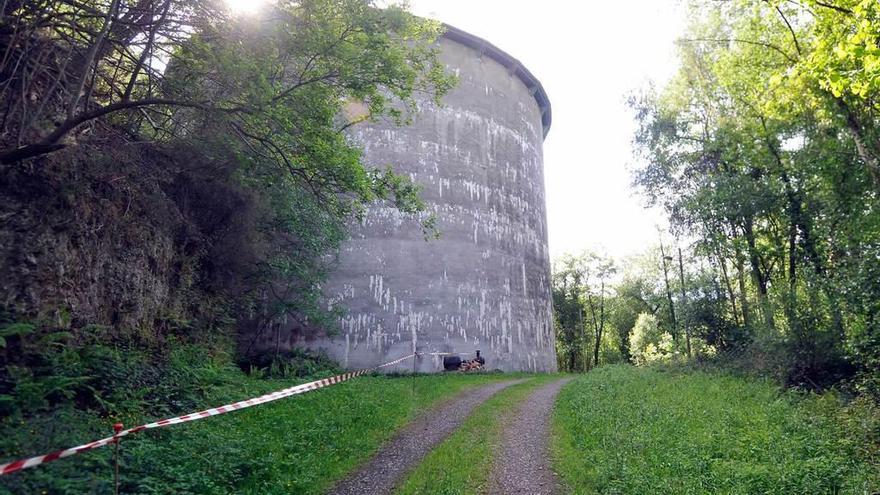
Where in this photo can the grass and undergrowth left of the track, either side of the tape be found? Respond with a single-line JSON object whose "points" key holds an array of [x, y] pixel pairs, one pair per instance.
{"points": [[69, 395]]}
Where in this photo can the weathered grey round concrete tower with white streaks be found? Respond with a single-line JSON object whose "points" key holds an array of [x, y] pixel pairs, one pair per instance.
{"points": [[485, 284]]}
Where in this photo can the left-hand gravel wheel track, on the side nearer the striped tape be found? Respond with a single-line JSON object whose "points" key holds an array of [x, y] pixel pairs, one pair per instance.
{"points": [[409, 446]]}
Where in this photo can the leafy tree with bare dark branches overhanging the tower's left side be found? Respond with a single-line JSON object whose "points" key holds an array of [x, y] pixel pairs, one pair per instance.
{"points": [[258, 100]]}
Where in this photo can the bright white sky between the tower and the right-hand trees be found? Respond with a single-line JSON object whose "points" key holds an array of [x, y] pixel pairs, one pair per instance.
{"points": [[589, 55]]}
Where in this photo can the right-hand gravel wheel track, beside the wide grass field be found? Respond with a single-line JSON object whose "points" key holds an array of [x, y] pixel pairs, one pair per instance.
{"points": [[523, 464]]}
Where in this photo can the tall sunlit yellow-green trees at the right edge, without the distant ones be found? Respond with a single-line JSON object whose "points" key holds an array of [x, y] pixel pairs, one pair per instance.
{"points": [[763, 151]]}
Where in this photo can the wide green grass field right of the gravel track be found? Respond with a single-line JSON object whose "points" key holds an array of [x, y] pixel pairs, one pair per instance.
{"points": [[621, 429]]}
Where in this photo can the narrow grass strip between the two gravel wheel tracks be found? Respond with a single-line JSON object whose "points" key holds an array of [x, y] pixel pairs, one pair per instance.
{"points": [[463, 462]]}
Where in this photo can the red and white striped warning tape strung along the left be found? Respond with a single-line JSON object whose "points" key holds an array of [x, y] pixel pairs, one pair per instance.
{"points": [[14, 466]]}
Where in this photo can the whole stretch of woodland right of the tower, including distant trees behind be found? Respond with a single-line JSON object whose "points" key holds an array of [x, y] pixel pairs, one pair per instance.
{"points": [[763, 152]]}
